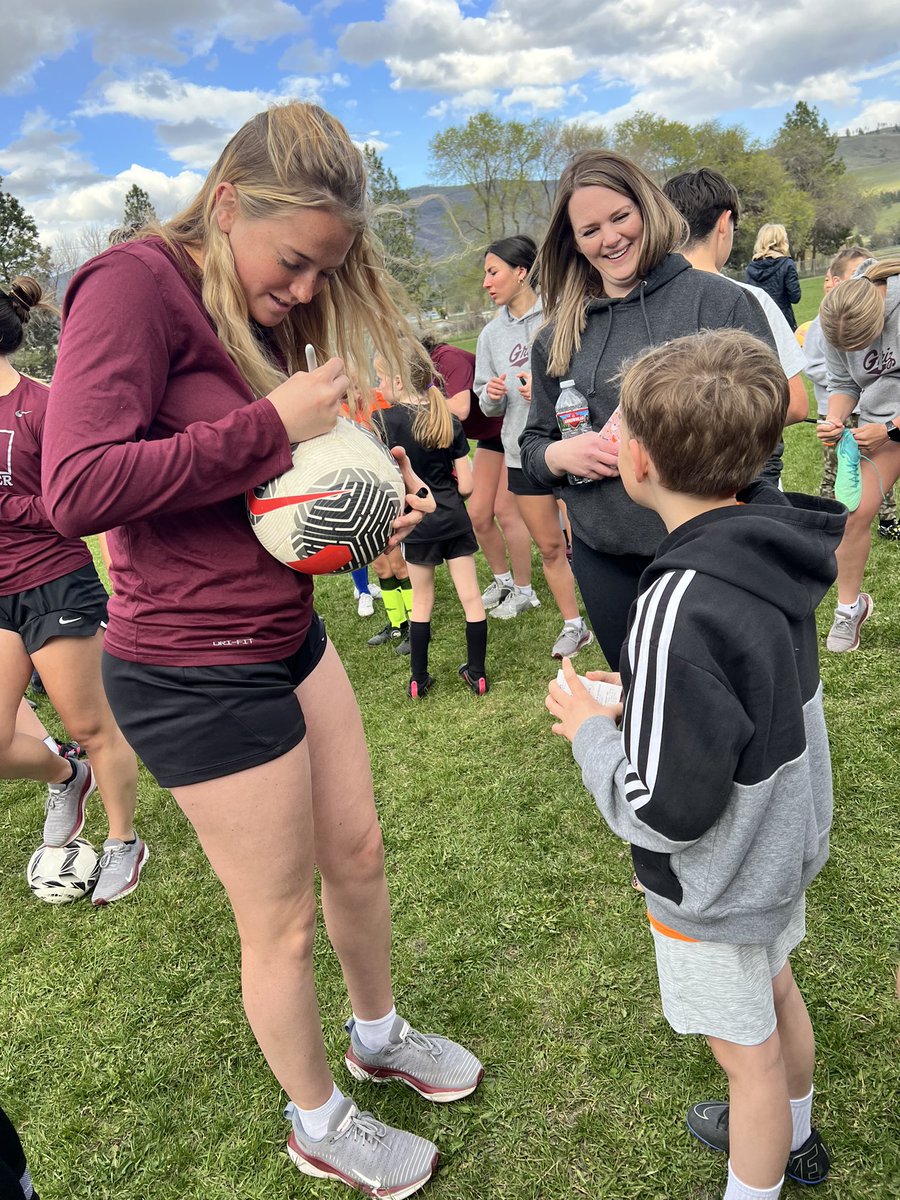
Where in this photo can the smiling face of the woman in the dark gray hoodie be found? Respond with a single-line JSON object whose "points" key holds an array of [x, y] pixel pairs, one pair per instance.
{"points": [[609, 232]]}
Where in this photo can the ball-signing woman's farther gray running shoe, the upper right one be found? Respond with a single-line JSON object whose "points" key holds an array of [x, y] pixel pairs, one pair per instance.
{"points": [[435, 1067]]}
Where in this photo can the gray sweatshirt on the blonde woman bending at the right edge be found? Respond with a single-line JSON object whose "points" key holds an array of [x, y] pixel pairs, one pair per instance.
{"points": [[872, 376]]}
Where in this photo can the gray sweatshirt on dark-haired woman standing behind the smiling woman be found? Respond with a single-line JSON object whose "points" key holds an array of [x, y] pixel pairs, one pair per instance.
{"points": [[505, 347]]}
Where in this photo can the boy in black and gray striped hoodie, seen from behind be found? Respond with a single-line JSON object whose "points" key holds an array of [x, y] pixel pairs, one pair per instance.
{"points": [[719, 776]]}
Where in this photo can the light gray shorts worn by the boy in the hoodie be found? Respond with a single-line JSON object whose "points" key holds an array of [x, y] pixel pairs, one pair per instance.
{"points": [[723, 991]]}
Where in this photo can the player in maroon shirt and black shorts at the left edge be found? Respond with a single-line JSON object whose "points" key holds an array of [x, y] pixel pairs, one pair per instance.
{"points": [[52, 617]]}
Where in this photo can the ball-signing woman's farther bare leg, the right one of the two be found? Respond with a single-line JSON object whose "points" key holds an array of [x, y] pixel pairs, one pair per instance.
{"points": [[349, 839]]}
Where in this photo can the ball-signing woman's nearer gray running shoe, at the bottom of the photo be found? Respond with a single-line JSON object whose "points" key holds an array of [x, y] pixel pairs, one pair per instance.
{"points": [[371, 1157]]}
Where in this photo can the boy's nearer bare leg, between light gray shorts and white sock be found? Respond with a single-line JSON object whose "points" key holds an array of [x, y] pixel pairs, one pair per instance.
{"points": [[760, 1124]]}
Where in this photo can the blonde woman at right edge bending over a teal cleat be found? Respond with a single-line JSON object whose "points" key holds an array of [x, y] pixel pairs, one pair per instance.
{"points": [[861, 323]]}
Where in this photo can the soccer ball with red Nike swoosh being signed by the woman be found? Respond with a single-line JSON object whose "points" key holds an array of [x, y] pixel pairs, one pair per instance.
{"points": [[333, 512]]}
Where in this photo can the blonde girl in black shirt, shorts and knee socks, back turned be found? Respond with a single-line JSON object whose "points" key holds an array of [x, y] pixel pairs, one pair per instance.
{"points": [[434, 439]]}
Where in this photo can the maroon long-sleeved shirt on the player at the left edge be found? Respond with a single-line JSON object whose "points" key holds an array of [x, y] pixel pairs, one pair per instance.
{"points": [[32, 551]]}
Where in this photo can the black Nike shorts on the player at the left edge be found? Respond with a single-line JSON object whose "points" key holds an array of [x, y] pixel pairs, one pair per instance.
{"points": [[71, 607]]}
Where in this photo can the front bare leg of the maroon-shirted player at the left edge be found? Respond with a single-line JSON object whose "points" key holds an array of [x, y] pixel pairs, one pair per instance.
{"points": [[70, 669]]}
